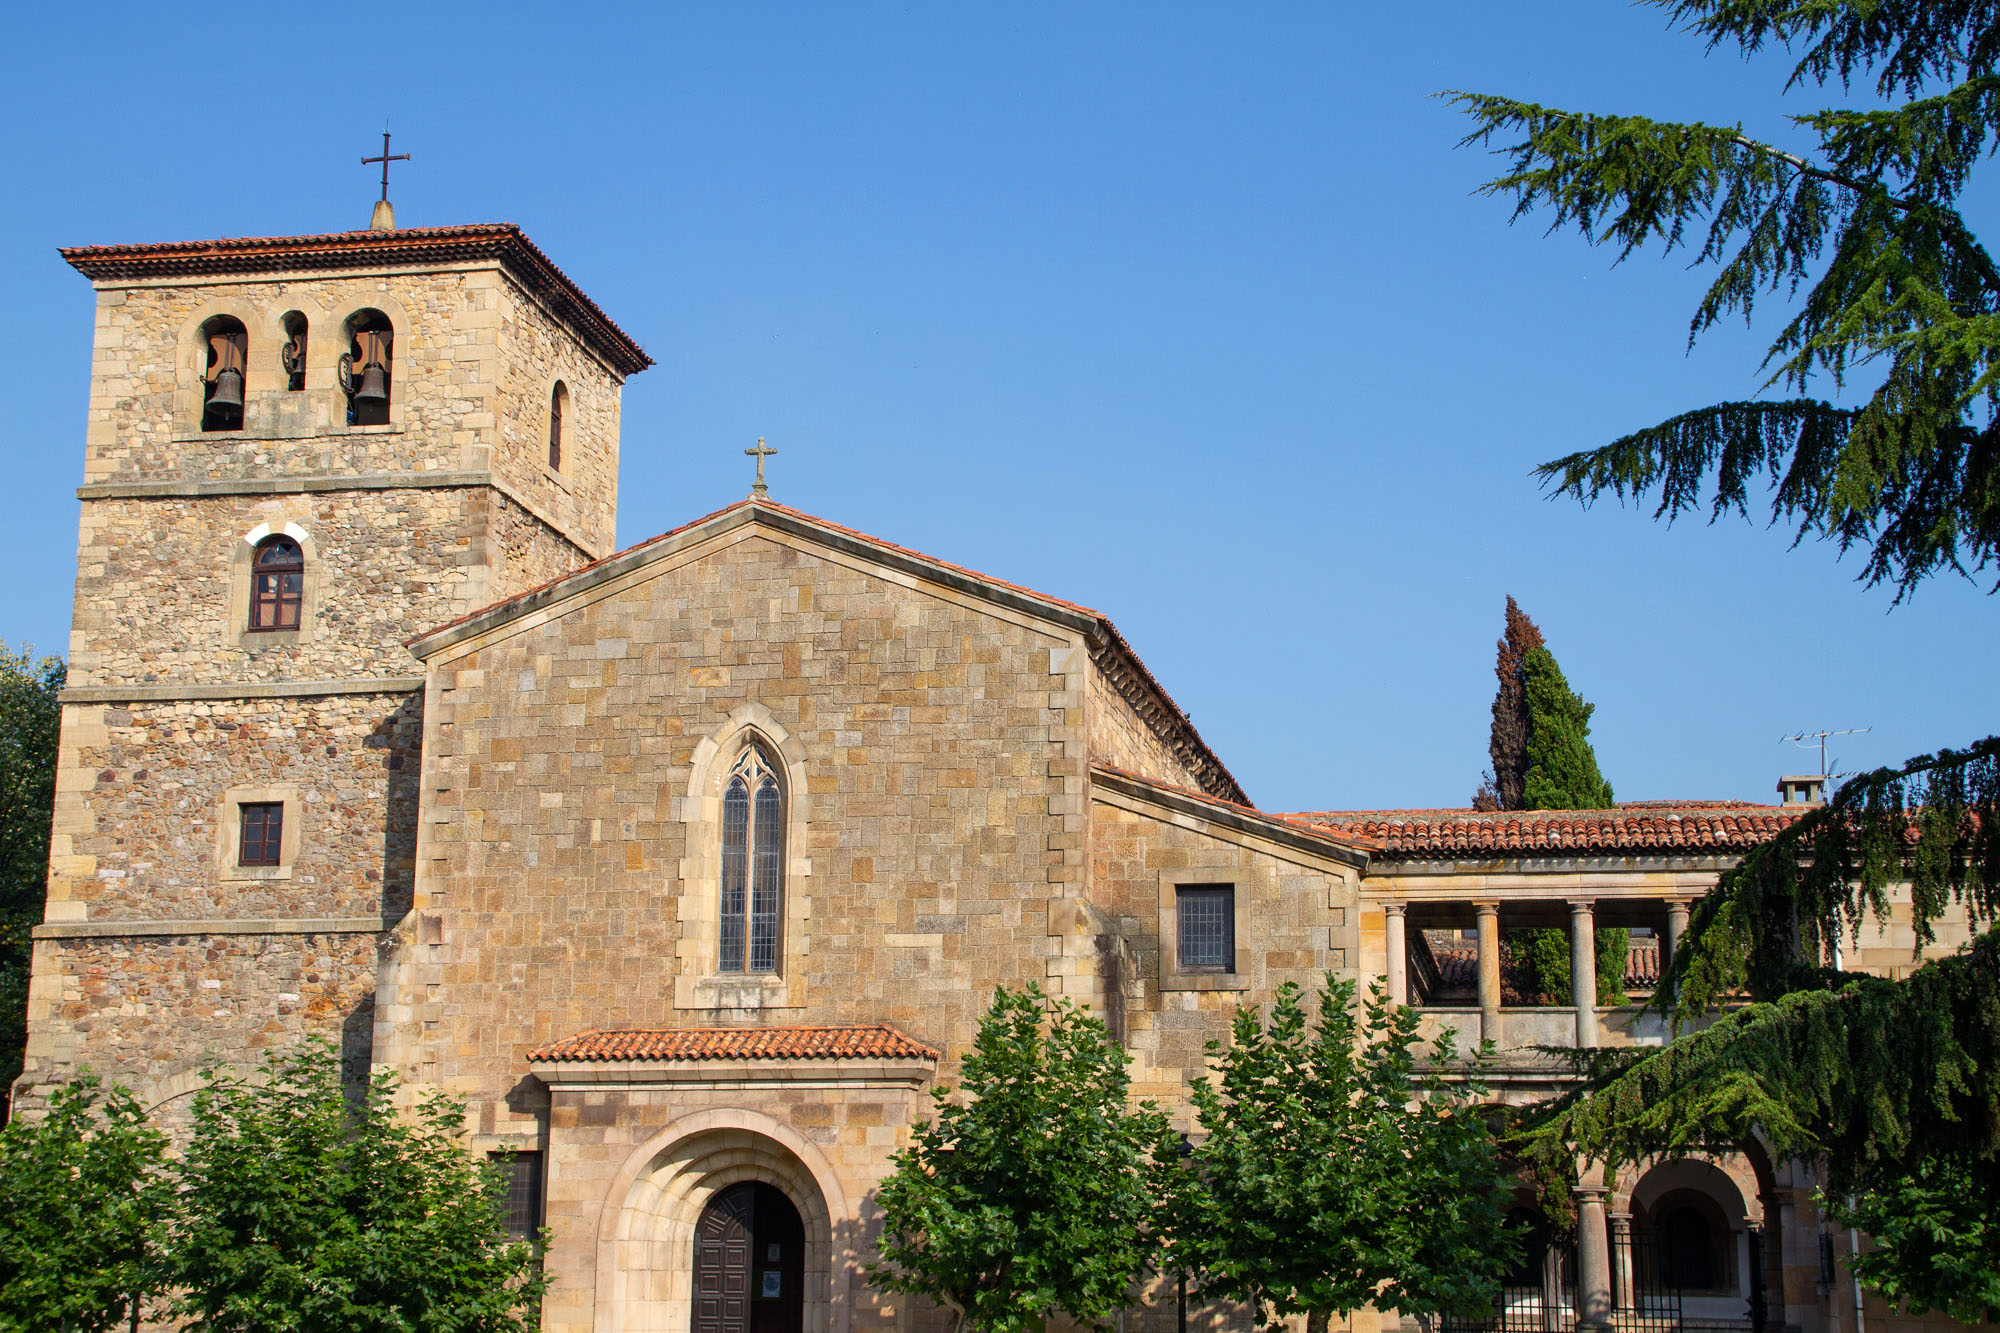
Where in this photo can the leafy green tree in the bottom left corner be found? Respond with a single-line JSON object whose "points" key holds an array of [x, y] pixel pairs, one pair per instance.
{"points": [[81, 1202]]}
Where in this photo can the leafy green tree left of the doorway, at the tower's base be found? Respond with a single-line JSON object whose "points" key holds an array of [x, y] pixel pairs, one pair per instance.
{"points": [[307, 1214]]}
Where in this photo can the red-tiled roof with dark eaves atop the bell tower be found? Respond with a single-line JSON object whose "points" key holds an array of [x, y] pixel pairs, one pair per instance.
{"points": [[401, 249]]}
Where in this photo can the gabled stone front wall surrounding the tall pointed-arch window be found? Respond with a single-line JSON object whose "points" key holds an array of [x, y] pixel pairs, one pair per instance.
{"points": [[937, 748]]}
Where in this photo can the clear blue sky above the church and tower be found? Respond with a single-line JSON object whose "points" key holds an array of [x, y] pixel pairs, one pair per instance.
{"points": [[1189, 313]]}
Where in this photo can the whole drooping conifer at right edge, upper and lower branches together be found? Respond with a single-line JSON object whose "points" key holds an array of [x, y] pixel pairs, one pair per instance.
{"points": [[1889, 1084]]}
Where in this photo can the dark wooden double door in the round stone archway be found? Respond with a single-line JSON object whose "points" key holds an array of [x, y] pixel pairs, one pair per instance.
{"points": [[749, 1264]]}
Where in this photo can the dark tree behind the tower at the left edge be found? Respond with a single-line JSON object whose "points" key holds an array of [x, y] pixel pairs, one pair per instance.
{"points": [[31, 718]]}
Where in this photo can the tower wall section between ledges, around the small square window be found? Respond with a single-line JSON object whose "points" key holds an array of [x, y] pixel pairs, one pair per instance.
{"points": [[143, 786]]}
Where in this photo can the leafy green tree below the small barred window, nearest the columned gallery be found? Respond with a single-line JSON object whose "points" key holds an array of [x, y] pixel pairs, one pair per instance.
{"points": [[1335, 1174]]}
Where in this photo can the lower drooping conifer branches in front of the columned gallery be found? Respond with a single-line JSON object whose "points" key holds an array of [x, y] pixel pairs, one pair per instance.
{"points": [[1893, 1086]]}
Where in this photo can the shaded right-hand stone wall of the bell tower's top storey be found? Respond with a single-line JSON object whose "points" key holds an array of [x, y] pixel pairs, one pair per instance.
{"points": [[583, 495]]}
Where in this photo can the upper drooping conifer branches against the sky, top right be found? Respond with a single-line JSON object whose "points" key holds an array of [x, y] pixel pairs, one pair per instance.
{"points": [[1863, 237]]}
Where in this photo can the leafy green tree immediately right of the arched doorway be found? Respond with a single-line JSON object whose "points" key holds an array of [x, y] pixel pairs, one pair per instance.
{"points": [[1039, 1190]]}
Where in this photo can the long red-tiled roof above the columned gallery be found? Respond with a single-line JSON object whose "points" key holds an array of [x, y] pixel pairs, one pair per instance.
{"points": [[1643, 826]]}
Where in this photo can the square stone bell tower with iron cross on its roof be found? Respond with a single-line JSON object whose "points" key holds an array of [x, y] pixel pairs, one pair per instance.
{"points": [[301, 451]]}
